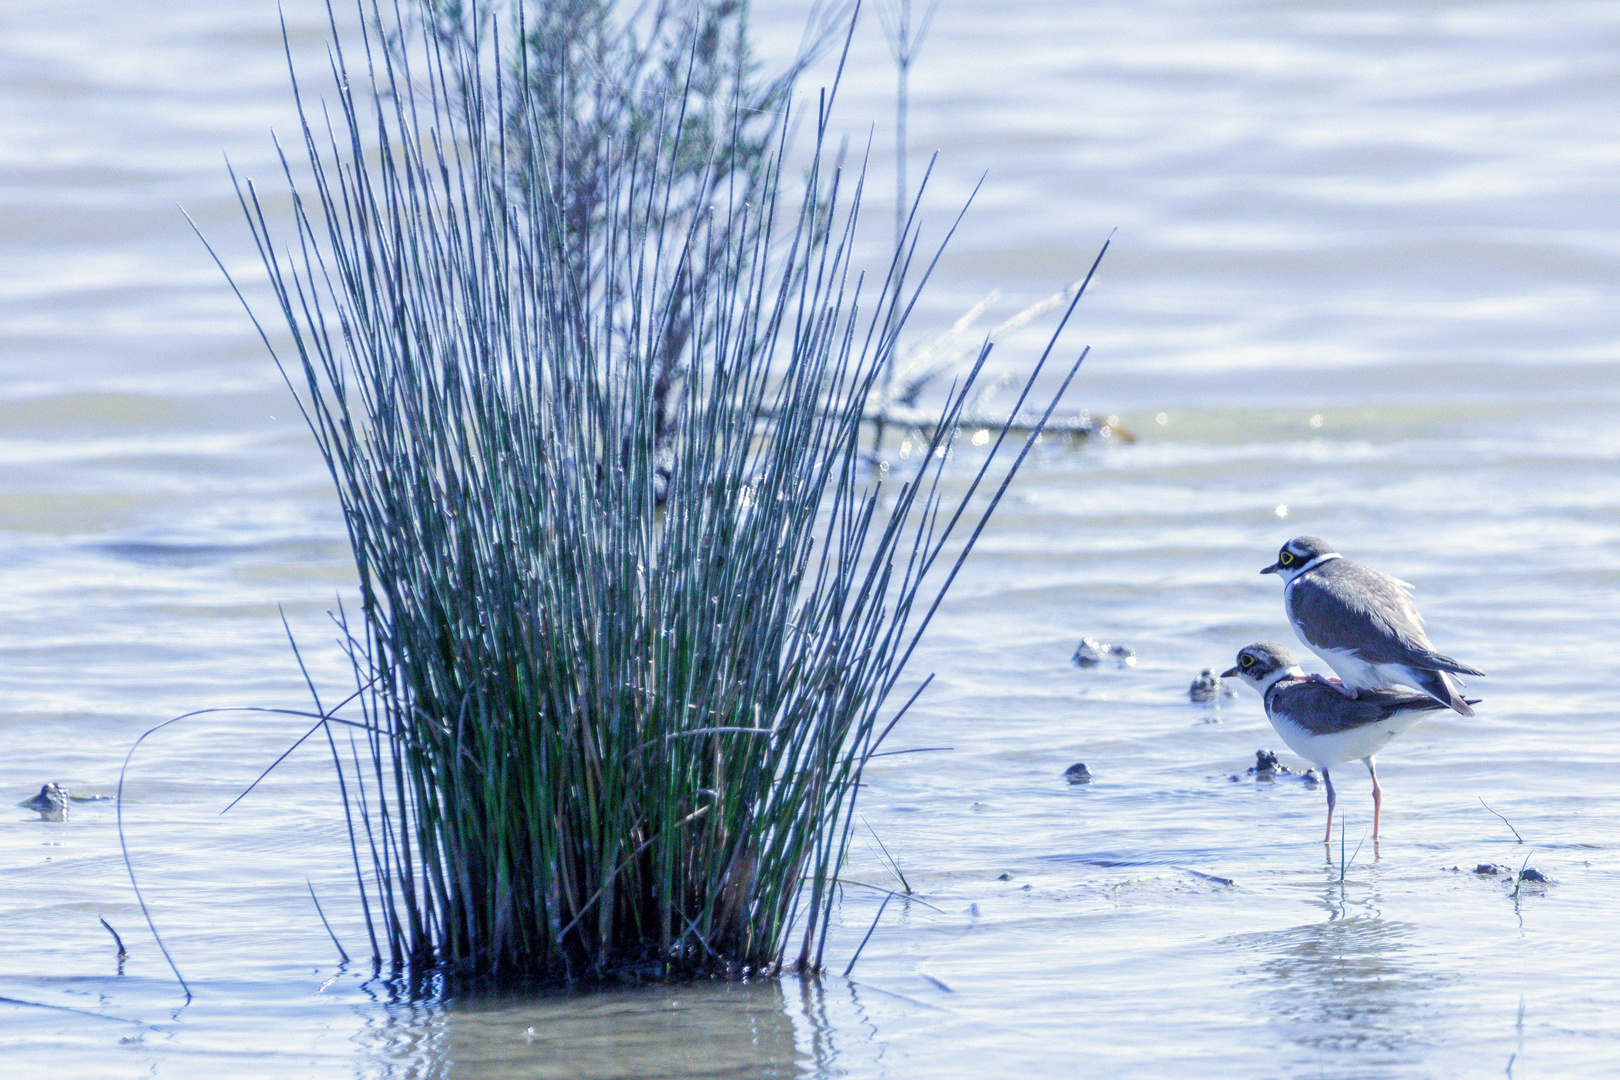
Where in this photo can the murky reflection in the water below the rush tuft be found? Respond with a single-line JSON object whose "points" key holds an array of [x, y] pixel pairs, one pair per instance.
{"points": [[688, 1032]]}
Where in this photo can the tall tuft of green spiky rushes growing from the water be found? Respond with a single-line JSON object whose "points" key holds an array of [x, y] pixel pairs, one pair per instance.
{"points": [[620, 673]]}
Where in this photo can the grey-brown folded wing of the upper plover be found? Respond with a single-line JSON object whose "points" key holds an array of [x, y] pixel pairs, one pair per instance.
{"points": [[1347, 606]]}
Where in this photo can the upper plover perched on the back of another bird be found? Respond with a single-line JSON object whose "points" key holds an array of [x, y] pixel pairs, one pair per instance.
{"points": [[1363, 624]]}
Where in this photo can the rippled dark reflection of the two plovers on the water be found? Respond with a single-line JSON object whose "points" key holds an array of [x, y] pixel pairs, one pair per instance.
{"points": [[1349, 984]]}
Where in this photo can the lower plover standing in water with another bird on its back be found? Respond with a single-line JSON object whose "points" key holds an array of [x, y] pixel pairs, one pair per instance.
{"points": [[1324, 726]]}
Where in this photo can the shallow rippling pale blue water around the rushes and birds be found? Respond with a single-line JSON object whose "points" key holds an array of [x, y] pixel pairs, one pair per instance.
{"points": [[1363, 286]]}
